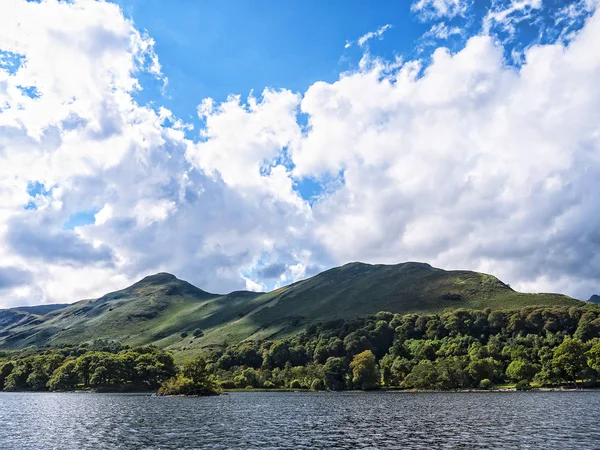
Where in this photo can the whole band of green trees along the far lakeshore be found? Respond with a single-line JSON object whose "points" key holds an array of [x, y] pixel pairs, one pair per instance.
{"points": [[462, 349]]}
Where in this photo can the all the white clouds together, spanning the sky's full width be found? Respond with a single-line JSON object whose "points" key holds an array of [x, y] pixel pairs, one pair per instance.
{"points": [[467, 163]]}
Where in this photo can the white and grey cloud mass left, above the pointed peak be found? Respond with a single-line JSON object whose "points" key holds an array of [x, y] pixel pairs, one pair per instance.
{"points": [[88, 139]]}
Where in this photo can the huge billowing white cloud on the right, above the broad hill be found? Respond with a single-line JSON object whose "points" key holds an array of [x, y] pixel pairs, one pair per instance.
{"points": [[469, 164]]}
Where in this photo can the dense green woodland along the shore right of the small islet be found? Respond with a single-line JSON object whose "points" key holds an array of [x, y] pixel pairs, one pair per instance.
{"points": [[463, 349]]}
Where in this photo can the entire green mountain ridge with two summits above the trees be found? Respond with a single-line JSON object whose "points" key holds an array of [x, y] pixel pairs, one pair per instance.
{"points": [[164, 310]]}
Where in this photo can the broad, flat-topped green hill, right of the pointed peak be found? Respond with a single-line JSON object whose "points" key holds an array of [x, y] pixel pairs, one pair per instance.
{"points": [[358, 289]]}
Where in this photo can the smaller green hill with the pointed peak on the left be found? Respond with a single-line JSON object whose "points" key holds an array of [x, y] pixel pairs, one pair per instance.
{"points": [[155, 310]]}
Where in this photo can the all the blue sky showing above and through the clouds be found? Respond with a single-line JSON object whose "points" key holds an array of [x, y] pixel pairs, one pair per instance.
{"points": [[208, 50]]}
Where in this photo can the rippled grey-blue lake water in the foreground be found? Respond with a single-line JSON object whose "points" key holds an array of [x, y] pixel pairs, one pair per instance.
{"points": [[272, 420]]}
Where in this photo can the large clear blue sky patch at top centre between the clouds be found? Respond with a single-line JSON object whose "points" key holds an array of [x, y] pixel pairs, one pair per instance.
{"points": [[208, 50]]}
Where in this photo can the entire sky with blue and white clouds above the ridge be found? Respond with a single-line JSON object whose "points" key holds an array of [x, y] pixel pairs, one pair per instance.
{"points": [[251, 145]]}
